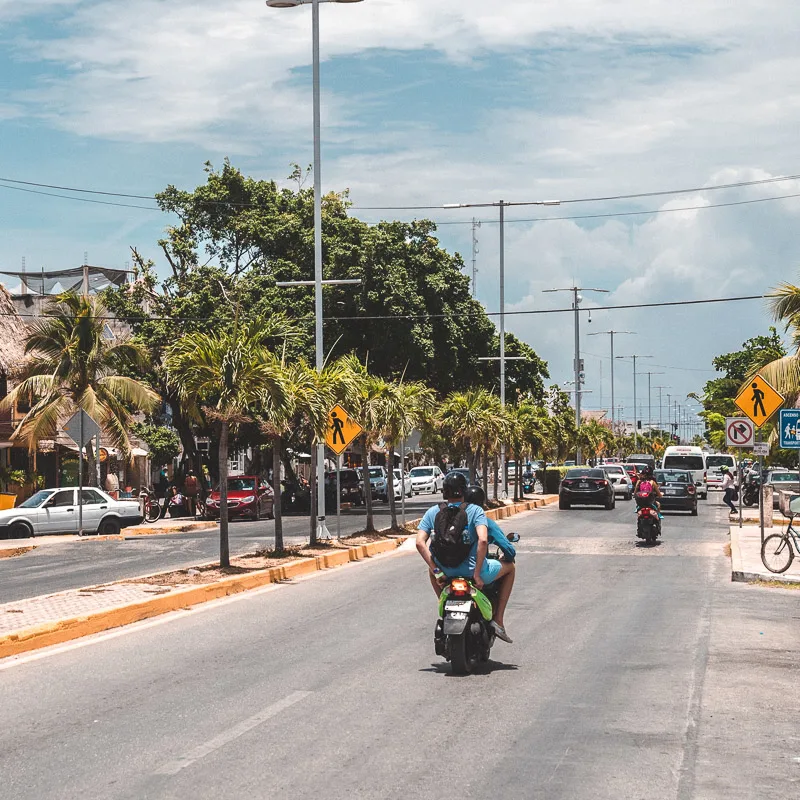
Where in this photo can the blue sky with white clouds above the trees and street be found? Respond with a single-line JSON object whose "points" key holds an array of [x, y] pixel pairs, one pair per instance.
{"points": [[429, 102]]}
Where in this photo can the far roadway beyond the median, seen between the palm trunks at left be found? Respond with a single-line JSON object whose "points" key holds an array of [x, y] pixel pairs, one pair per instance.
{"points": [[72, 565]]}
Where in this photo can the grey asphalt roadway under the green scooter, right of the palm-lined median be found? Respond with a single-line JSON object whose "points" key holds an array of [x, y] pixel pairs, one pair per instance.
{"points": [[636, 673]]}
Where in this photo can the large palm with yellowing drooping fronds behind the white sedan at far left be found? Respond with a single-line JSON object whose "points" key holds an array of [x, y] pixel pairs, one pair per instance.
{"points": [[73, 365]]}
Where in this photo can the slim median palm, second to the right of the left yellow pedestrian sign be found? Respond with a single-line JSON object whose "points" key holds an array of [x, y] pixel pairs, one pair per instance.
{"points": [[401, 406]]}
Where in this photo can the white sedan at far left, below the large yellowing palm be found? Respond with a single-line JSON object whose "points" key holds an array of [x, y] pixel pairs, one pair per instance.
{"points": [[56, 511]]}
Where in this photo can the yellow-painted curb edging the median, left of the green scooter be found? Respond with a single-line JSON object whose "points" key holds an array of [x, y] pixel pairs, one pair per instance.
{"points": [[65, 630]]}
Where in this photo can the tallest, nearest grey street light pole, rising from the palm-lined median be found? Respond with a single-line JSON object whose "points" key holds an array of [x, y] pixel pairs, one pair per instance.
{"points": [[321, 531]]}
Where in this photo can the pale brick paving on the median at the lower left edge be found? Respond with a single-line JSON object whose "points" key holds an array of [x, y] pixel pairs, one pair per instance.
{"points": [[35, 611]]}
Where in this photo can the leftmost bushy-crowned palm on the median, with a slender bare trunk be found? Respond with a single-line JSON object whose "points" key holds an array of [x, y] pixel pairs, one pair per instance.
{"points": [[229, 375]]}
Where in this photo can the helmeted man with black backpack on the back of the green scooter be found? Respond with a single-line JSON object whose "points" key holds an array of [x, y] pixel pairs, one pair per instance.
{"points": [[476, 566]]}
